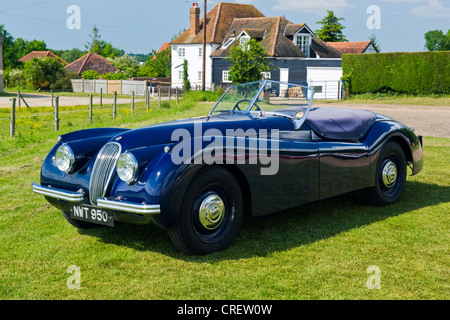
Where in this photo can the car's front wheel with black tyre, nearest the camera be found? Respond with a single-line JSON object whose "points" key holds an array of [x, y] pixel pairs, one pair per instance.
{"points": [[211, 214]]}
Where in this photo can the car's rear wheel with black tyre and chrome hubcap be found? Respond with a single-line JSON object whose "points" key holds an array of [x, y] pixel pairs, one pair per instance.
{"points": [[390, 176]]}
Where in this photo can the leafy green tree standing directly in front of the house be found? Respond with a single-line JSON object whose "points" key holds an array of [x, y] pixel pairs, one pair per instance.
{"points": [[247, 62]]}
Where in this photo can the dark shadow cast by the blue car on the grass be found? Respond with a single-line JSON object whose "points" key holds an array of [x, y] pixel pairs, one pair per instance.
{"points": [[283, 230]]}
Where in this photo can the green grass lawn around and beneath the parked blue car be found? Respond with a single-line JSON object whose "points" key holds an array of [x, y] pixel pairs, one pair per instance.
{"points": [[320, 251]]}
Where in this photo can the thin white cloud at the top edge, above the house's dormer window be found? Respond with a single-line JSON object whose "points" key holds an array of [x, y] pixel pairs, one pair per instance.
{"points": [[312, 6]]}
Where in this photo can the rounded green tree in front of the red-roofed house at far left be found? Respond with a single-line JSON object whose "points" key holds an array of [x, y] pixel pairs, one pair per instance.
{"points": [[42, 73]]}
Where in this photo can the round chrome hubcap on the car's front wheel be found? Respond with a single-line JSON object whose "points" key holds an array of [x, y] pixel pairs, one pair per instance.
{"points": [[211, 212]]}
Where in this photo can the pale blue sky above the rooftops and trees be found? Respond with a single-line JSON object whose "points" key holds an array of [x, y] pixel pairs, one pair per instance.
{"points": [[140, 26]]}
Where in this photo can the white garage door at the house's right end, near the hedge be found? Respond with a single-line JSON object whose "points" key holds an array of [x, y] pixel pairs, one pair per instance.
{"points": [[325, 81]]}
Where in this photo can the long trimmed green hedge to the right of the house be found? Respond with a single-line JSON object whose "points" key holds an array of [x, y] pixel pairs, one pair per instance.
{"points": [[400, 72]]}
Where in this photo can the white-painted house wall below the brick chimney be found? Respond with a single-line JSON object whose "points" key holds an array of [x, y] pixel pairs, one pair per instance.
{"points": [[195, 64]]}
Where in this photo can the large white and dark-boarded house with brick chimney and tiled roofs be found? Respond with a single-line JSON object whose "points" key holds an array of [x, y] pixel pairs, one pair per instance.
{"points": [[293, 49]]}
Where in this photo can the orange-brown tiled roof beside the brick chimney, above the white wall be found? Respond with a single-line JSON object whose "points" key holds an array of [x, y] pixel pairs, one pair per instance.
{"points": [[218, 20]]}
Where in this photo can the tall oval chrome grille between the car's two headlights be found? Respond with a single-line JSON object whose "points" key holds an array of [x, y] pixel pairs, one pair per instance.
{"points": [[103, 170]]}
